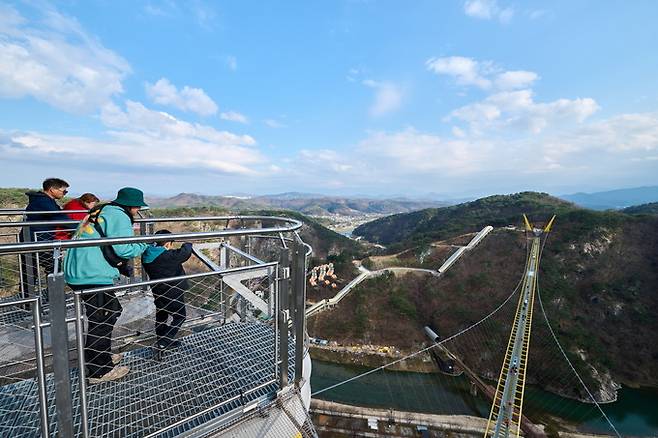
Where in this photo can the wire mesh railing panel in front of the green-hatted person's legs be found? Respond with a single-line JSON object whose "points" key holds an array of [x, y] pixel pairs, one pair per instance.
{"points": [[178, 357]]}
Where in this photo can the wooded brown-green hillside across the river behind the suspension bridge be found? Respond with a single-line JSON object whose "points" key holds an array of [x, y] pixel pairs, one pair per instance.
{"points": [[598, 280]]}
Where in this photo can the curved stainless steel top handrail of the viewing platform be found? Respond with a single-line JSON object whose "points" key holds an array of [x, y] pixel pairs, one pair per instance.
{"points": [[291, 226]]}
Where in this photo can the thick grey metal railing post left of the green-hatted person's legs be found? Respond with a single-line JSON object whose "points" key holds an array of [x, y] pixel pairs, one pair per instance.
{"points": [[60, 345]]}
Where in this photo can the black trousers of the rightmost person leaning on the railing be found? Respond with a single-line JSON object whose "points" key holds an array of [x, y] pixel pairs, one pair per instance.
{"points": [[169, 301]]}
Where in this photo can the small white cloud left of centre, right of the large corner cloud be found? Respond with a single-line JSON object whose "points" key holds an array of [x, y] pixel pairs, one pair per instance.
{"points": [[190, 99]]}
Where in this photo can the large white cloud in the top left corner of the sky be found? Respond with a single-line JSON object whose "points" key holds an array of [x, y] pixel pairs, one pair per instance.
{"points": [[55, 61]]}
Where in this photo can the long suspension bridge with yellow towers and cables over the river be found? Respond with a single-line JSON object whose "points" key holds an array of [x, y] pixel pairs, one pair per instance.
{"points": [[506, 417]]}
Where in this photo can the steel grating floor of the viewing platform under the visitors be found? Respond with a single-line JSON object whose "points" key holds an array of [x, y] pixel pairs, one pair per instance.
{"points": [[208, 368]]}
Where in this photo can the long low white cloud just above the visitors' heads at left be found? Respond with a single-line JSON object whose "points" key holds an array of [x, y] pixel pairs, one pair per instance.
{"points": [[145, 138]]}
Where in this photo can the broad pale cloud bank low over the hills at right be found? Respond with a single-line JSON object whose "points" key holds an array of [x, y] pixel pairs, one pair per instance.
{"points": [[619, 149]]}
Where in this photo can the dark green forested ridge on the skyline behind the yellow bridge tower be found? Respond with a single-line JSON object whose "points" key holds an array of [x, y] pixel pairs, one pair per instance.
{"points": [[406, 230]]}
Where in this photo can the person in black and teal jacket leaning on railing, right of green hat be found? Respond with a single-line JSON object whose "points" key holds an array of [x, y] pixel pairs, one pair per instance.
{"points": [[161, 261]]}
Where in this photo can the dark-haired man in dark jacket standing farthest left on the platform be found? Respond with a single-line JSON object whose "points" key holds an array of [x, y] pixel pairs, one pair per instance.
{"points": [[46, 200]]}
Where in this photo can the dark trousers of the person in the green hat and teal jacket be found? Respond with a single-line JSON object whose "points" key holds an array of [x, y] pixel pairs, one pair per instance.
{"points": [[102, 310]]}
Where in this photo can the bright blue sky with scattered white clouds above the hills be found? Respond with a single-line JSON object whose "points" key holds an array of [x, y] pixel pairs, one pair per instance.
{"points": [[460, 98]]}
